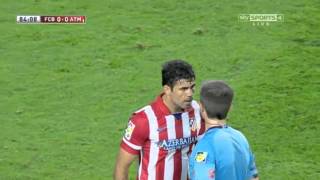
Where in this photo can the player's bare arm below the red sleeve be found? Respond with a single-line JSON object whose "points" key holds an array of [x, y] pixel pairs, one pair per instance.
{"points": [[123, 163]]}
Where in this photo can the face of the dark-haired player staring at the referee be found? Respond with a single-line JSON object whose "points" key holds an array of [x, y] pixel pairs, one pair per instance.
{"points": [[182, 94]]}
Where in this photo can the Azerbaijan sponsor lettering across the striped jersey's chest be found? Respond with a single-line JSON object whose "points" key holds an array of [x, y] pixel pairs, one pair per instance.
{"points": [[173, 144]]}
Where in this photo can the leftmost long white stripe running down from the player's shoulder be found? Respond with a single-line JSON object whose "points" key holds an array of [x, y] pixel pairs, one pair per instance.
{"points": [[154, 138]]}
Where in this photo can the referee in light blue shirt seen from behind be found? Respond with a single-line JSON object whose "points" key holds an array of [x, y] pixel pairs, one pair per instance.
{"points": [[223, 153]]}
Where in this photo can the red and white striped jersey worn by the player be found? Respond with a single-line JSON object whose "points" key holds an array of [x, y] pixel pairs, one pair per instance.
{"points": [[163, 140]]}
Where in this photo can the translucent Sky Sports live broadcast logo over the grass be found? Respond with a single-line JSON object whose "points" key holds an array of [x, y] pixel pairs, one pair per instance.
{"points": [[261, 19]]}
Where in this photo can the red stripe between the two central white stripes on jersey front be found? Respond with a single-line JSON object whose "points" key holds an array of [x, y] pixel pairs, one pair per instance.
{"points": [[177, 156]]}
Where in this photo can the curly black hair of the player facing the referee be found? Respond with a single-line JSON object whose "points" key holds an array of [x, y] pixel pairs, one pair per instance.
{"points": [[175, 70]]}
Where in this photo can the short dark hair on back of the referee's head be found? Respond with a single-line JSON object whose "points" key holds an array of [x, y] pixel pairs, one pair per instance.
{"points": [[216, 97]]}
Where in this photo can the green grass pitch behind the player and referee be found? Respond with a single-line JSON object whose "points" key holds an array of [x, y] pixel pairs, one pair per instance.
{"points": [[66, 91]]}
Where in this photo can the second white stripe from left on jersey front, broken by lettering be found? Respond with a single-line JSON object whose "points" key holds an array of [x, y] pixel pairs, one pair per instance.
{"points": [[169, 161]]}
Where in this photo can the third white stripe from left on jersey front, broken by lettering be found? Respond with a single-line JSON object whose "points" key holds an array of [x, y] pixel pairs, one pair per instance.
{"points": [[184, 151]]}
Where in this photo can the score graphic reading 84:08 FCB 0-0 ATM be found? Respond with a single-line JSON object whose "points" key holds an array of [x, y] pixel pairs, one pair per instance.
{"points": [[37, 19]]}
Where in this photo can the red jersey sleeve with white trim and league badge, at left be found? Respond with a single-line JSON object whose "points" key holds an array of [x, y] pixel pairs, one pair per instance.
{"points": [[136, 133]]}
